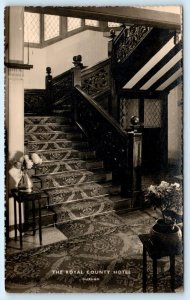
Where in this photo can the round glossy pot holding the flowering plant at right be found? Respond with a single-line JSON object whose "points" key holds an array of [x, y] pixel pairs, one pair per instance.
{"points": [[167, 235]]}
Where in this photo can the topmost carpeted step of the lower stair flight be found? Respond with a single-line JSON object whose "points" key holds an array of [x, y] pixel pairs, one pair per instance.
{"points": [[41, 120]]}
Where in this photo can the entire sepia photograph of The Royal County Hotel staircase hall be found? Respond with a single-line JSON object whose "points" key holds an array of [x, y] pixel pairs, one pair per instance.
{"points": [[94, 194]]}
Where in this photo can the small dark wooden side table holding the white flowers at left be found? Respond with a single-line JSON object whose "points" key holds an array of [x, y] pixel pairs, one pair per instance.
{"points": [[22, 196]]}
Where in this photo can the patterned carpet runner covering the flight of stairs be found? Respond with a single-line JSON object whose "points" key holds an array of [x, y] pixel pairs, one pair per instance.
{"points": [[70, 175]]}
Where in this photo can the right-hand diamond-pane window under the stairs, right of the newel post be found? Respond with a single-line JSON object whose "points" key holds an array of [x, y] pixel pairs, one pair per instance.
{"points": [[152, 113]]}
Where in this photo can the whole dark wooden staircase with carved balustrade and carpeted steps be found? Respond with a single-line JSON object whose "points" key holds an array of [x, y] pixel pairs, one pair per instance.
{"points": [[88, 160]]}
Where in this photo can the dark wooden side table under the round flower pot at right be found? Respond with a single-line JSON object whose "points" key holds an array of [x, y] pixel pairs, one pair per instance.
{"points": [[157, 251]]}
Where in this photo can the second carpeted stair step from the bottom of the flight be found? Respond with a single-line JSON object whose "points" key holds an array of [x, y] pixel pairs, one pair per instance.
{"points": [[74, 193]]}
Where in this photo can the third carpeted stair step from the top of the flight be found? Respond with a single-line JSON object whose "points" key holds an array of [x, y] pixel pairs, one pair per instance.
{"points": [[53, 136]]}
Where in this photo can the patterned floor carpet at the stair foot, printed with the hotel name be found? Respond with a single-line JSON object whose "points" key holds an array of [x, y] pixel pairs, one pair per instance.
{"points": [[105, 261]]}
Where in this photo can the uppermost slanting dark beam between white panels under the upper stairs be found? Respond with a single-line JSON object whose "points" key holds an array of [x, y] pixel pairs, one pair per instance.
{"points": [[158, 66]]}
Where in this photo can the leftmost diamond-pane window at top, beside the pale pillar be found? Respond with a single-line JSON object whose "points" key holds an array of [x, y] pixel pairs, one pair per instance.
{"points": [[31, 27]]}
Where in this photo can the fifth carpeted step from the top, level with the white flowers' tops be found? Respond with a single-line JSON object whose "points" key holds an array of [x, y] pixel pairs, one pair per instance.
{"points": [[59, 155]]}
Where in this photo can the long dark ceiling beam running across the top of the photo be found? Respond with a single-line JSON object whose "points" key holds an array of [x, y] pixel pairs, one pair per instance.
{"points": [[119, 14]]}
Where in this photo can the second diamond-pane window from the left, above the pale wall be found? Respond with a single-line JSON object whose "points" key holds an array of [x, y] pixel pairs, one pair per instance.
{"points": [[51, 26]]}
